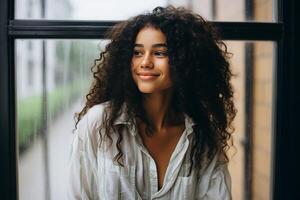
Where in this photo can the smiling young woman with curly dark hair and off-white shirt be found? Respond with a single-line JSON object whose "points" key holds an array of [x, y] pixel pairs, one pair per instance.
{"points": [[157, 119]]}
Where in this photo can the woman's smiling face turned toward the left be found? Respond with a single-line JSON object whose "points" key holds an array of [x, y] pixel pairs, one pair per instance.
{"points": [[150, 61]]}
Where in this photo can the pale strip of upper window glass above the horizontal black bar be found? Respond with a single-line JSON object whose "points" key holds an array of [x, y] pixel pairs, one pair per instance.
{"points": [[220, 10]]}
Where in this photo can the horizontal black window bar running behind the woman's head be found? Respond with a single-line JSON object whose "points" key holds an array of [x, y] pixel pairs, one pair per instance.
{"points": [[97, 29]]}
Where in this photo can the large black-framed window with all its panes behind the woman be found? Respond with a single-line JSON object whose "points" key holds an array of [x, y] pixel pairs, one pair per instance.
{"points": [[262, 59]]}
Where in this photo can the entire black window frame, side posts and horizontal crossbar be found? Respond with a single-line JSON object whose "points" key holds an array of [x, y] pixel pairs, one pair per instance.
{"points": [[286, 86]]}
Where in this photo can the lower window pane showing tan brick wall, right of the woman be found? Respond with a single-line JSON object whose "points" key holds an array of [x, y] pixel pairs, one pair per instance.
{"points": [[251, 157]]}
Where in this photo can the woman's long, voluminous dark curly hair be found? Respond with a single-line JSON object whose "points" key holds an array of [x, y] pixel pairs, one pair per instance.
{"points": [[200, 74]]}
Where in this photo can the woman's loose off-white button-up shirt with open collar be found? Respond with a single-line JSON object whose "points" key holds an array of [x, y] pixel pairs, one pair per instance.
{"points": [[93, 174]]}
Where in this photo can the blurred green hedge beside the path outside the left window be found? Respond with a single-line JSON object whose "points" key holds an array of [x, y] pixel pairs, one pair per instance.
{"points": [[29, 111]]}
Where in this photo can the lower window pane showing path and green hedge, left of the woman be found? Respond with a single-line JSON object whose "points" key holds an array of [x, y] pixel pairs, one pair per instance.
{"points": [[51, 78]]}
